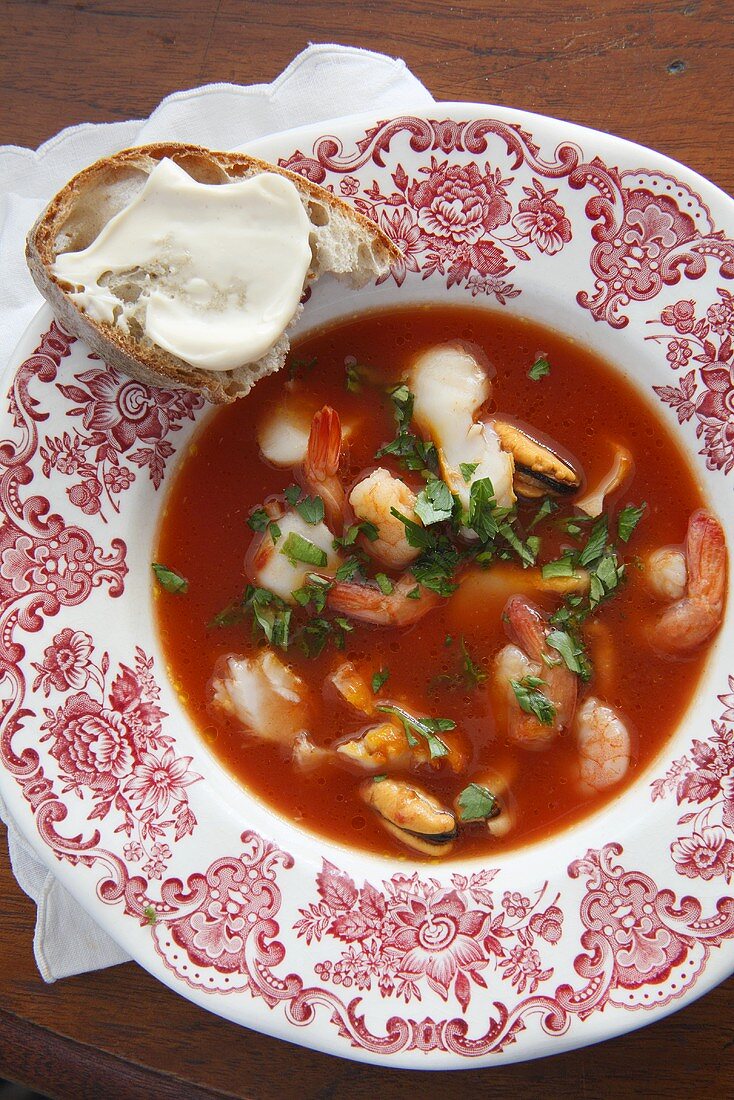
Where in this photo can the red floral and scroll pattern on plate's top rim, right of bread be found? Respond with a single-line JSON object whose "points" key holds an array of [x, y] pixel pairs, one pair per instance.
{"points": [[650, 229]]}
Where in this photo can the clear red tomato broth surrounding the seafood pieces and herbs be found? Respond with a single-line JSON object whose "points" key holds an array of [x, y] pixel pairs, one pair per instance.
{"points": [[585, 406]]}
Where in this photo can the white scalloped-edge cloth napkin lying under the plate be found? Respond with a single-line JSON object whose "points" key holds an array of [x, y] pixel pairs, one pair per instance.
{"points": [[221, 116]]}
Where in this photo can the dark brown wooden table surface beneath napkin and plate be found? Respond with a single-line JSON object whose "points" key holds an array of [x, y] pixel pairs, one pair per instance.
{"points": [[658, 72]]}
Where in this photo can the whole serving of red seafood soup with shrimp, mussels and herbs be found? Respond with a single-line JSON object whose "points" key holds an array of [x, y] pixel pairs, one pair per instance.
{"points": [[452, 584]]}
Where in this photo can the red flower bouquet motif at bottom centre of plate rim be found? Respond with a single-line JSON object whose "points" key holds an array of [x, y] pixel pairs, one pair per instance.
{"points": [[413, 931]]}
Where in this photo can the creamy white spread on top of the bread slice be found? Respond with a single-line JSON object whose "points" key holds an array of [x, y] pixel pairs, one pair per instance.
{"points": [[224, 266]]}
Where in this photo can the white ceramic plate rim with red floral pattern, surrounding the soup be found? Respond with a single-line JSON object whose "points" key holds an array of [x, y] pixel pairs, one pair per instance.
{"points": [[616, 922]]}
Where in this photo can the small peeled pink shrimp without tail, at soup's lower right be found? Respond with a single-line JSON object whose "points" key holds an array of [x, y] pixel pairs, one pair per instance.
{"points": [[605, 746]]}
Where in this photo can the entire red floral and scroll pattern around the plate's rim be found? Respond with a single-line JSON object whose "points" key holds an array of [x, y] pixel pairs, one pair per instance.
{"points": [[474, 203]]}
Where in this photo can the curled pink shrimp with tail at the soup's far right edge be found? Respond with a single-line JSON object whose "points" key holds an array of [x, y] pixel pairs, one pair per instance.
{"points": [[697, 614]]}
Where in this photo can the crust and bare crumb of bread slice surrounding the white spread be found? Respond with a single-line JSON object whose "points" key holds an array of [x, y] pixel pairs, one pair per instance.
{"points": [[343, 243]]}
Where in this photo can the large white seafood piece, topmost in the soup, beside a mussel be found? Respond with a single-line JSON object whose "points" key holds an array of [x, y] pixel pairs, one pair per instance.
{"points": [[451, 383]]}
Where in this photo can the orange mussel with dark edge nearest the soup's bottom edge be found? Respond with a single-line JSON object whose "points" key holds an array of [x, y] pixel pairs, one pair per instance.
{"points": [[411, 815]]}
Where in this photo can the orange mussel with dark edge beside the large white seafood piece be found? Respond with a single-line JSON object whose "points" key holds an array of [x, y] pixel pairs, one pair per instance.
{"points": [[541, 468]]}
